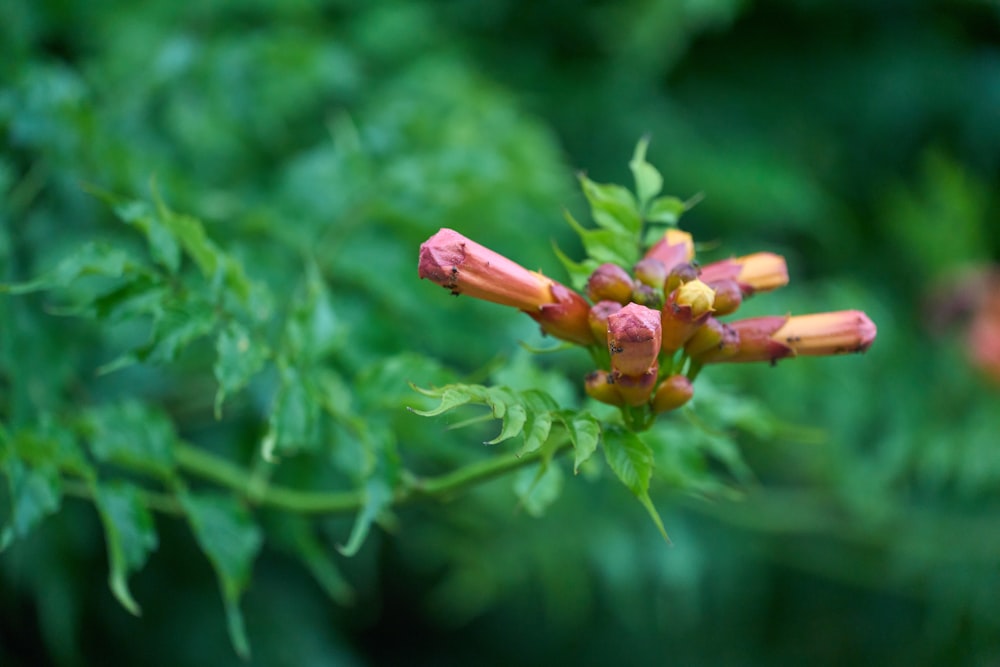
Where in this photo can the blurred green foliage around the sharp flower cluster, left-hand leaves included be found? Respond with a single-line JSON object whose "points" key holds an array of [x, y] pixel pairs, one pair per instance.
{"points": [[259, 175]]}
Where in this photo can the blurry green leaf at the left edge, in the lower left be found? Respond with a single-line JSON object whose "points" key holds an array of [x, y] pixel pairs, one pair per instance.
{"points": [[35, 493]]}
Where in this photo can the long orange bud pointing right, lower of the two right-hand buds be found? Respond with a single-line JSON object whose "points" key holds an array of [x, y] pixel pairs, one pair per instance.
{"points": [[775, 337]]}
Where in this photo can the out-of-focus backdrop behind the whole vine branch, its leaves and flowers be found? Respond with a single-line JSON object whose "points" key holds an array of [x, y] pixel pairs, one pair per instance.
{"points": [[859, 139]]}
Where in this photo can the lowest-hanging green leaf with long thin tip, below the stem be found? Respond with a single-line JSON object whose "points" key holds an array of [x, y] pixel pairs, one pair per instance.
{"points": [[226, 533]]}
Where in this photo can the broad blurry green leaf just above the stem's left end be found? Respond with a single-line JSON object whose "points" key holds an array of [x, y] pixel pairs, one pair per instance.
{"points": [[133, 435]]}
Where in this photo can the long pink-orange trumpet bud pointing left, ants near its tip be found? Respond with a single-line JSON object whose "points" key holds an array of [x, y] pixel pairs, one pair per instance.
{"points": [[464, 267]]}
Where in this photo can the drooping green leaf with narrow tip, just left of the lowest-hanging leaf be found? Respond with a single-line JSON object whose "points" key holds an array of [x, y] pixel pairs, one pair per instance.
{"points": [[129, 533]]}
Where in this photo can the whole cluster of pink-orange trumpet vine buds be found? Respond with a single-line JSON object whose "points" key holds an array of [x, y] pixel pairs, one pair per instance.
{"points": [[652, 329]]}
